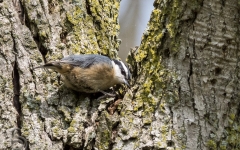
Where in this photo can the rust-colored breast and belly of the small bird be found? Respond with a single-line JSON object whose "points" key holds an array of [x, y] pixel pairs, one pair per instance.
{"points": [[89, 80]]}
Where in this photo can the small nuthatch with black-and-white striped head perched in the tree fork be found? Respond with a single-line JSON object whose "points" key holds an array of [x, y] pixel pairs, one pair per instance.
{"points": [[90, 73]]}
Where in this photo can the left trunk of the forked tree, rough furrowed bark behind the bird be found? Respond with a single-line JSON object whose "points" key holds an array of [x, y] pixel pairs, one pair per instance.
{"points": [[33, 31]]}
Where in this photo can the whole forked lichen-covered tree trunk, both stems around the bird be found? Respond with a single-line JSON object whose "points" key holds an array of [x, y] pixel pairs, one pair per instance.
{"points": [[184, 95]]}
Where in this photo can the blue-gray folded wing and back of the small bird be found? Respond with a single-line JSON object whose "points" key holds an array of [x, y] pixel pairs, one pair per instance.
{"points": [[86, 61]]}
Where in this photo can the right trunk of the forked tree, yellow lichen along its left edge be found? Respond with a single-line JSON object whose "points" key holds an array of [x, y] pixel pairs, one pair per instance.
{"points": [[188, 72]]}
